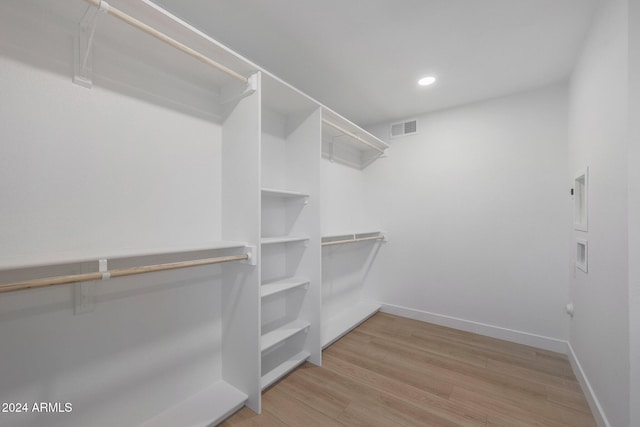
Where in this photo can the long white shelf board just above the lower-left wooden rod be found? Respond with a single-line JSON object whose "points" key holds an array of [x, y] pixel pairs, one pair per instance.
{"points": [[68, 257]]}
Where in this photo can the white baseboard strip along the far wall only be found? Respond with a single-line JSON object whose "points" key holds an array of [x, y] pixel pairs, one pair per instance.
{"points": [[534, 340]]}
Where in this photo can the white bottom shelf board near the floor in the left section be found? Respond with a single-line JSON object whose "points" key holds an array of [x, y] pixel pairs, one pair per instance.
{"points": [[208, 407]]}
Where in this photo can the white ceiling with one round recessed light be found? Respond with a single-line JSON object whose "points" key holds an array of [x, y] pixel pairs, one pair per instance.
{"points": [[362, 58]]}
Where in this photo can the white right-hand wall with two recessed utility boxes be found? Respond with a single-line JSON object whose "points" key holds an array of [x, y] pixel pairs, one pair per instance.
{"points": [[598, 139]]}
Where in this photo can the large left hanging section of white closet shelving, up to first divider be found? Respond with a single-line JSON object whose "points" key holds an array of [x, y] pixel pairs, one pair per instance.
{"points": [[191, 337]]}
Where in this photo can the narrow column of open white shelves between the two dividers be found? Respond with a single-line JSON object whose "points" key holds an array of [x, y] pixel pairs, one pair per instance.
{"points": [[290, 230]]}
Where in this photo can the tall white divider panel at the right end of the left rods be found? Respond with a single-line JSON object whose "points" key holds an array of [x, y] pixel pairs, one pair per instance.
{"points": [[240, 220]]}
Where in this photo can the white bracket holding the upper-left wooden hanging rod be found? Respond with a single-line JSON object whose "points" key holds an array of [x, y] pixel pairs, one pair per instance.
{"points": [[83, 46]]}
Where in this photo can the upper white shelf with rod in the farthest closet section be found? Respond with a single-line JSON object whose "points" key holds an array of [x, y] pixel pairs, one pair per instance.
{"points": [[346, 143]]}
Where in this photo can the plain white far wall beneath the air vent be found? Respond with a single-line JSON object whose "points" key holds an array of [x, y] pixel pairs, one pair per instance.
{"points": [[476, 206]]}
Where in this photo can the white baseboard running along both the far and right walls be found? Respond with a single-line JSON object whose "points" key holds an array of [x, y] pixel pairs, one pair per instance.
{"points": [[533, 340]]}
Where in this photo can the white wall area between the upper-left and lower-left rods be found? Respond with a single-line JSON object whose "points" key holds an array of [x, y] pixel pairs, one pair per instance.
{"points": [[91, 173]]}
